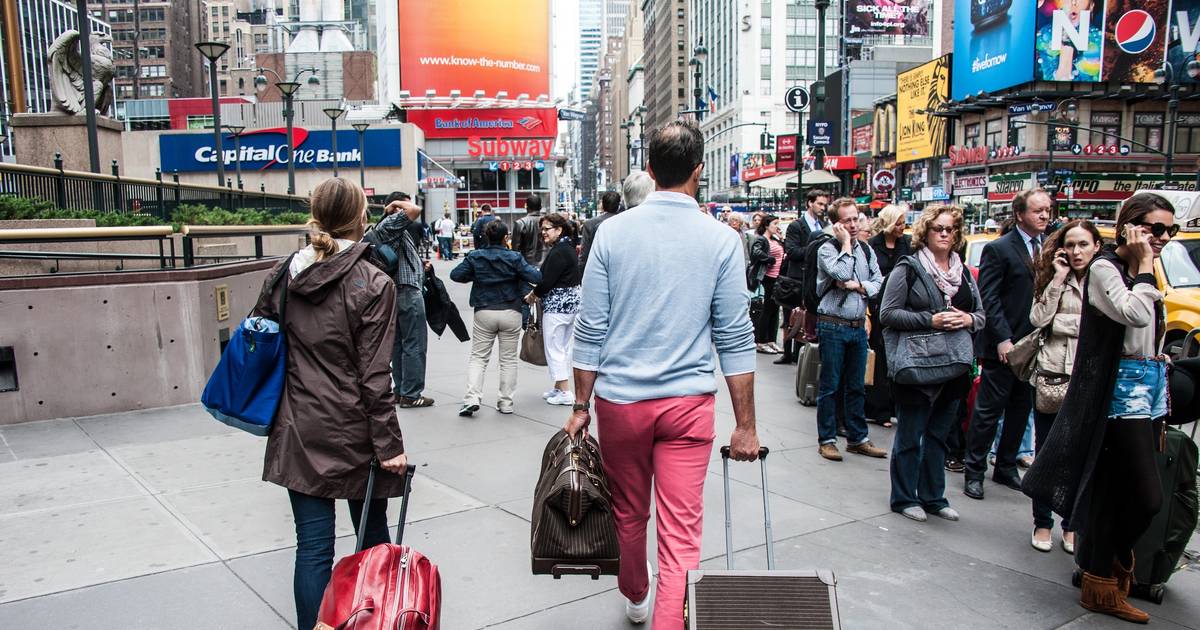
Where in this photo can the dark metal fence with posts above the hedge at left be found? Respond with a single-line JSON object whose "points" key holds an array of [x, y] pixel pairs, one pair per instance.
{"points": [[74, 190]]}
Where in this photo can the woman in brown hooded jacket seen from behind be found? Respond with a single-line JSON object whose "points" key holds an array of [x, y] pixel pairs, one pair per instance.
{"points": [[338, 411]]}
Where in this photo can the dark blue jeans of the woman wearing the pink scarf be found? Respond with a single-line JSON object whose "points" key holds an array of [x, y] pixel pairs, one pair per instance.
{"points": [[919, 453]]}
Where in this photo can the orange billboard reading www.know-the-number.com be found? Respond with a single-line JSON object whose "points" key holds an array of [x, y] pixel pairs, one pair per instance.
{"points": [[476, 45]]}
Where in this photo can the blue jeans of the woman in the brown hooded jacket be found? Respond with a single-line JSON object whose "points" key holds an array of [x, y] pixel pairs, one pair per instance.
{"points": [[315, 547]]}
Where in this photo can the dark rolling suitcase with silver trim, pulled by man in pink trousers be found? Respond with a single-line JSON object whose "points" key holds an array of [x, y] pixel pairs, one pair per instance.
{"points": [[736, 601]]}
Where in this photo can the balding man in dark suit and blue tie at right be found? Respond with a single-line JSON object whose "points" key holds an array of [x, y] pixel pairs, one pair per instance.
{"points": [[1006, 285]]}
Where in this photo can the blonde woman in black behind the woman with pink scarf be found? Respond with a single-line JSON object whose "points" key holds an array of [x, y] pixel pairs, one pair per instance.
{"points": [[891, 245]]}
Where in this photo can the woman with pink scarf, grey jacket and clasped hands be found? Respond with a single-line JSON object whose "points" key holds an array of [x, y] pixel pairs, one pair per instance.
{"points": [[929, 293]]}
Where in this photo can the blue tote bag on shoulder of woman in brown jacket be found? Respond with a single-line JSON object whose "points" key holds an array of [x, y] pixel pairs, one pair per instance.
{"points": [[245, 389]]}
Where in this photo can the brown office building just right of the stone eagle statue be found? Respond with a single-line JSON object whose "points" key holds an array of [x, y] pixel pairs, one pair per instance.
{"points": [[154, 47]]}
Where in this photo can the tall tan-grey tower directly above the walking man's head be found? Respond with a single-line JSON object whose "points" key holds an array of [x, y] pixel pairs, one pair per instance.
{"points": [[665, 57]]}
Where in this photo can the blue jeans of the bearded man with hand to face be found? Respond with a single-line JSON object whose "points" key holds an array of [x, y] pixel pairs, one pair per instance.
{"points": [[843, 368]]}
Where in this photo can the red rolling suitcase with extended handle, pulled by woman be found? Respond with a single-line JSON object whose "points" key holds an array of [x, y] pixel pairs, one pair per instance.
{"points": [[387, 587]]}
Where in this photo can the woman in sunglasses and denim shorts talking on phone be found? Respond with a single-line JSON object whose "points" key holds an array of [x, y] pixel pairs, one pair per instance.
{"points": [[1097, 467]]}
